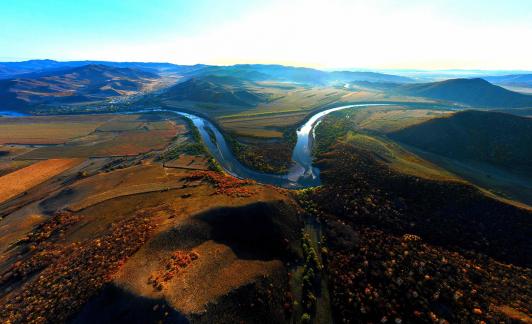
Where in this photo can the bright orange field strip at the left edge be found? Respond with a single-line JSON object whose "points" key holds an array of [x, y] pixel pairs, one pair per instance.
{"points": [[21, 180]]}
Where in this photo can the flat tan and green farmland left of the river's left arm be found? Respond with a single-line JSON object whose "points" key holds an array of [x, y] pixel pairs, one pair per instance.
{"points": [[90, 135]]}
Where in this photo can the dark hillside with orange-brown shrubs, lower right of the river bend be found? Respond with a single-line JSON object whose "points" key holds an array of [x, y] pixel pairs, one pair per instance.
{"points": [[418, 250]]}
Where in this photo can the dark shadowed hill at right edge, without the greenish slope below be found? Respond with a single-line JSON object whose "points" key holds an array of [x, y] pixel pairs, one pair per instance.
{"points": [[496, 138]]}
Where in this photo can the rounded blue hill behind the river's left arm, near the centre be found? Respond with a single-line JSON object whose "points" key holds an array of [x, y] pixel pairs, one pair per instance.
{"points": [[215, 89]]}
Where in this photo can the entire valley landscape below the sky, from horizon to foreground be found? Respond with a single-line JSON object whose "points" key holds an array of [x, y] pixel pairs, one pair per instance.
{"points": [[253, 192]]}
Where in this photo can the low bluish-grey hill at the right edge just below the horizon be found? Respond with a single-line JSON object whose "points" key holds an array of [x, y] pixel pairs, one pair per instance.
{"points": [[473, 92]]}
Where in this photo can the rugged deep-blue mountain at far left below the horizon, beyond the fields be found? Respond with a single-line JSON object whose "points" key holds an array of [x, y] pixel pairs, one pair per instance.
{"points": [[80, 84]]}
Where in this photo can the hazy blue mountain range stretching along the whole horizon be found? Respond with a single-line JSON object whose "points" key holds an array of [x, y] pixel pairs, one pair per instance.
{"points": [[51, 82]]}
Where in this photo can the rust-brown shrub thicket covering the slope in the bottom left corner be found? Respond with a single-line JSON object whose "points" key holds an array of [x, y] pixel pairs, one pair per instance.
{"points": [[79, 270]]}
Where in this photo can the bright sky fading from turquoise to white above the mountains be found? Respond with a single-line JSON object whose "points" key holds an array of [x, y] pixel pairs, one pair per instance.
{"points": [[377, 34]]}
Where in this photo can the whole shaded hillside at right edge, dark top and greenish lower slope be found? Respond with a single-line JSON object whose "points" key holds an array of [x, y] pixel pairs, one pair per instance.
{"points": [[490, 149]]}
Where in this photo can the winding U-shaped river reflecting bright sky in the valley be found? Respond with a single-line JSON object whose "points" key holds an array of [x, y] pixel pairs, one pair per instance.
{"points": [[302, 174]]}
